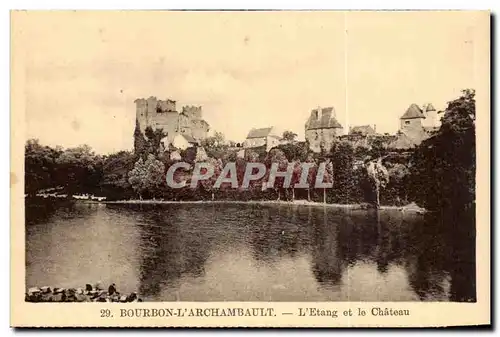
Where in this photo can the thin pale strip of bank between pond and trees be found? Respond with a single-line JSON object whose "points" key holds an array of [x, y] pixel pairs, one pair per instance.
{"points": [[412, 208]]}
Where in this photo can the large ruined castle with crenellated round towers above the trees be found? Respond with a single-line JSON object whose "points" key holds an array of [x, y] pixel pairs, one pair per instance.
{"points": [[162, 114]]}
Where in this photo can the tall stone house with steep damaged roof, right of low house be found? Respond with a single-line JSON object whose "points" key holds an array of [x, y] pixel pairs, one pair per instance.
{"points": [[322, 128]]}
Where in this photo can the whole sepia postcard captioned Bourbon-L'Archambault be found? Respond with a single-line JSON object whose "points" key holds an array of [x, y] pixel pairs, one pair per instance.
{"points": [[250, 168]]}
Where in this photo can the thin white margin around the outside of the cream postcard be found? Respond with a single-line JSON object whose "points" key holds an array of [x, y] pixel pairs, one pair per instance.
{"points": [[6, 6]]}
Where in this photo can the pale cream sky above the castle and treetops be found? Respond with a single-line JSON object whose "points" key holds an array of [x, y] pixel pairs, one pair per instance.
{"points": [[83, 70]]}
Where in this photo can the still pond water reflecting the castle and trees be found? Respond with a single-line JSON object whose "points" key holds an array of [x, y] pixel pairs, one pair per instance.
{"points": [[246, 252]]}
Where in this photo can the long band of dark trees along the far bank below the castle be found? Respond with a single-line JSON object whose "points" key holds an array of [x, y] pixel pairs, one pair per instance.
{"points": [[439, 173]]}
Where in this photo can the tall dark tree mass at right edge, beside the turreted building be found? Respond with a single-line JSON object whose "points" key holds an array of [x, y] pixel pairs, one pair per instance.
{"points": [[443, 167]]}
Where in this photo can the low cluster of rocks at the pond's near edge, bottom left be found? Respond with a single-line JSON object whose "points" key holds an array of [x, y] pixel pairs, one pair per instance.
{"points": [[88, 294]]}
